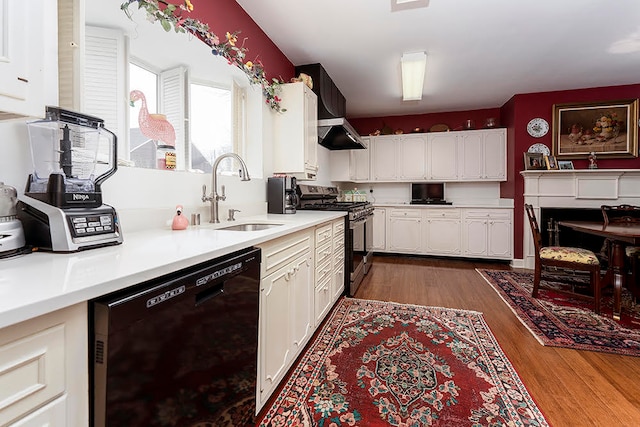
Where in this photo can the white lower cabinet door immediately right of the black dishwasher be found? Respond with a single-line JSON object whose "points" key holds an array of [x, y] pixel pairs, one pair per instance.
{"points": [[275, 333]]}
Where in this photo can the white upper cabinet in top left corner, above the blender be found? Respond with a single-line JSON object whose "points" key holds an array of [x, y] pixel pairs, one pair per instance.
{"points": [[28, 62]]}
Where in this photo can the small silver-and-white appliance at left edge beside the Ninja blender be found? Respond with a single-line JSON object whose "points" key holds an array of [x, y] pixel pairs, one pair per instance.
{"points": [[11, 232]]}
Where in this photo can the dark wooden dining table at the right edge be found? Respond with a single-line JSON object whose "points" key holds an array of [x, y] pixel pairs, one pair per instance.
{"points": [[620, 236]]}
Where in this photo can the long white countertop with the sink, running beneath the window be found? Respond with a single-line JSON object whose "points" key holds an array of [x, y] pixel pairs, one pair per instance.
{"points": [[41, 282]]}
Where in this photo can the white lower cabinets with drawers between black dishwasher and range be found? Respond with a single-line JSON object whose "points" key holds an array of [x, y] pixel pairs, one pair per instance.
{"points": [[302, 277]]}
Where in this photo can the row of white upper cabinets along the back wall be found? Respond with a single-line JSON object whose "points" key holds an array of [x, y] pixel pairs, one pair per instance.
{"points": [[473, 155]]}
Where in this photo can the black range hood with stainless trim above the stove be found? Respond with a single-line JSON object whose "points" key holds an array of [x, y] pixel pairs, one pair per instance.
{"points": [[334, 131]]}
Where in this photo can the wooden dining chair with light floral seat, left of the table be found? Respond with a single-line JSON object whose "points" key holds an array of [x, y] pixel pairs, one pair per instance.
{"points": [[566, 257]]}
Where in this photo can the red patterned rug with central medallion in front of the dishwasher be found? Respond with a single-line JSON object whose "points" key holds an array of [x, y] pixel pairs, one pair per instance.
{"points": [[385, 364]]}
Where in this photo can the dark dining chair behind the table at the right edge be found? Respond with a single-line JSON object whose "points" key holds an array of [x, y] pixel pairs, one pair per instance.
{"points": [[625, 214]]}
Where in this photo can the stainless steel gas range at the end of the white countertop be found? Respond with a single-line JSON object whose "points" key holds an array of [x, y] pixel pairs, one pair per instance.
{"points": [[359, 256]]}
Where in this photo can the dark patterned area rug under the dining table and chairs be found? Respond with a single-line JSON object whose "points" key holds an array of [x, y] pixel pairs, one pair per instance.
{"points": [[556, 319]]}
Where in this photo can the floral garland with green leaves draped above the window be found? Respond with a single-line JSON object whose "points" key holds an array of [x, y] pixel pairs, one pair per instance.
{"points": [[171, 16]]}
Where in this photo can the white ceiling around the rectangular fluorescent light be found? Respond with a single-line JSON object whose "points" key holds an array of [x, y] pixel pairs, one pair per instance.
{"points": [[479, 52]]}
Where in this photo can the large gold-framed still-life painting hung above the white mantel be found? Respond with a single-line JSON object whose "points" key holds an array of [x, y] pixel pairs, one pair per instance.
{"points": [[609, 129]]}
